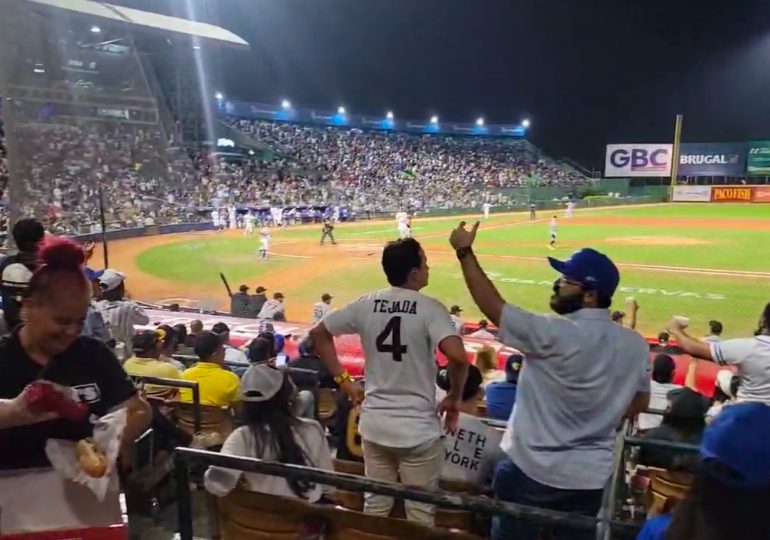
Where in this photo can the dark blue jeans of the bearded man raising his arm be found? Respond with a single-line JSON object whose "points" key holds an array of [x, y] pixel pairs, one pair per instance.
{"points": [[512, 485]]}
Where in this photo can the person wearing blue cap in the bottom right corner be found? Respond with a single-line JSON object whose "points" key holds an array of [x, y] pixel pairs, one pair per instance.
{"points": [[730, 495]]}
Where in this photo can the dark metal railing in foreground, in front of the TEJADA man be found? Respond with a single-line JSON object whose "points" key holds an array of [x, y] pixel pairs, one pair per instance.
{"points": [[184, 456]]}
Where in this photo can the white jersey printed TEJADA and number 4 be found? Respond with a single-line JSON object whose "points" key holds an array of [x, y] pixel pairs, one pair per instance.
{"points": [[400, 330]]}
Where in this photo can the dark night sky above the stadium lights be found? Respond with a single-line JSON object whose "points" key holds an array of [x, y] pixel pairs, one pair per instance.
{"points": [[586, 72]]}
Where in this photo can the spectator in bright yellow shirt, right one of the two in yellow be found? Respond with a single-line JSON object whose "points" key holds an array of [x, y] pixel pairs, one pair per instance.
{"points": [[217, 386]]}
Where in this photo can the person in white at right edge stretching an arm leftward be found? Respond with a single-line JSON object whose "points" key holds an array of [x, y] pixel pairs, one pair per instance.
{"points": [[750, 356]]}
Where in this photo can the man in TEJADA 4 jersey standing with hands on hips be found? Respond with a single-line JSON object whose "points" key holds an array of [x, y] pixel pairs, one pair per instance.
{"points": [[400, 329]]}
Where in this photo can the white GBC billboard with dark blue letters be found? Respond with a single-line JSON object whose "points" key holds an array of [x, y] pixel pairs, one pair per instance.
{"points": [[638, 160]]}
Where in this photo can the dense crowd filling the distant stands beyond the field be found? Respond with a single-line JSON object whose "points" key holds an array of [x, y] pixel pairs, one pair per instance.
{"points": [[63, 164]]}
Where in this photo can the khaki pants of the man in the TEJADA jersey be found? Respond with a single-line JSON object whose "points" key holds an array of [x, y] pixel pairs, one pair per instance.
{"points": [[418, 466]]}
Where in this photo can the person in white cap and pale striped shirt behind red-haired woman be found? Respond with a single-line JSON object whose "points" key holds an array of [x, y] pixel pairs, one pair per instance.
{"points": [[120, 314]]}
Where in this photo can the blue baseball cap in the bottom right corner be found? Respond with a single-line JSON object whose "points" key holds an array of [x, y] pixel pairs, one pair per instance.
{"points": [[736, 438]]}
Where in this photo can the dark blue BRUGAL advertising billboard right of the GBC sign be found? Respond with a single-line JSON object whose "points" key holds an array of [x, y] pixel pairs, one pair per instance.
{"points": [[712, 159]]}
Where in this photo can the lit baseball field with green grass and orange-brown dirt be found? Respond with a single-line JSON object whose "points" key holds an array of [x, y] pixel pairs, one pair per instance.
{"points": [[705, 261]]}
